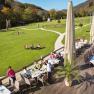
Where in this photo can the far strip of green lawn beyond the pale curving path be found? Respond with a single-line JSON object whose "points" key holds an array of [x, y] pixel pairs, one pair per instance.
{"points": [[60, 27]]}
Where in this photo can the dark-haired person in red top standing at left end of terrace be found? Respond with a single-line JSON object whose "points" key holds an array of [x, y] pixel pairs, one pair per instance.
{"points": [[11, 75]]}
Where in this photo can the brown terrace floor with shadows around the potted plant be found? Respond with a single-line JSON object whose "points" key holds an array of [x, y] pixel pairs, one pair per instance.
{"points": [[84, 87]]}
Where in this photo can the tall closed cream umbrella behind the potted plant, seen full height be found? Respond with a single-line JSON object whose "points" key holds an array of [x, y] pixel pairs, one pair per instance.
{"points": [[70, 34]]}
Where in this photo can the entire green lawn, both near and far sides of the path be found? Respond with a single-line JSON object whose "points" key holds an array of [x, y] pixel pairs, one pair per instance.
{"points": [[12, 51]]}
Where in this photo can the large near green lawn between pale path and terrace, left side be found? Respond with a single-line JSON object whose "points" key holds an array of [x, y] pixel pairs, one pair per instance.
{"points": [[12, 51]]}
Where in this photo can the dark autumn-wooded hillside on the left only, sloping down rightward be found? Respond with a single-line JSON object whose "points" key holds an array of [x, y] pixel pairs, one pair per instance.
{"points": [[19, 13]]}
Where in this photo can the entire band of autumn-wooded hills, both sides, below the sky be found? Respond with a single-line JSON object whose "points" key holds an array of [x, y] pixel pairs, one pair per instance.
{"points": [[23, 13]]}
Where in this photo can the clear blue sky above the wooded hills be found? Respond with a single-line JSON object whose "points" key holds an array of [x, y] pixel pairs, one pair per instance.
{"points": [[52, 4]]}
